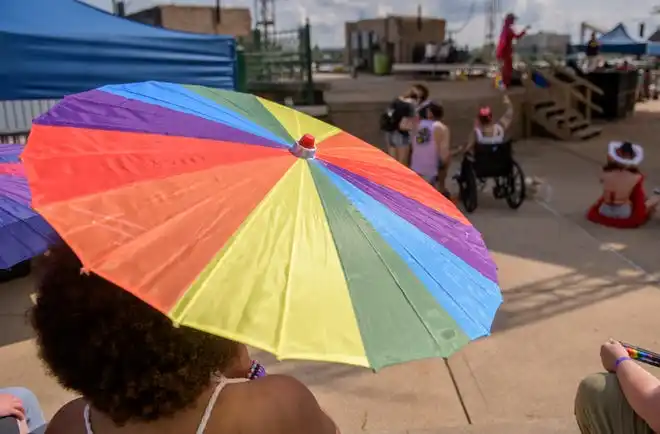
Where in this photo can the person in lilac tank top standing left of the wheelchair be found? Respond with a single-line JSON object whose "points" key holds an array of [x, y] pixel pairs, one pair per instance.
{"points": [[430, 147]]}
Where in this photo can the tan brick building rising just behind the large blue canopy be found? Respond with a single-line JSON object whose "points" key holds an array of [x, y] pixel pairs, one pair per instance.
{"points": [[236, 22]]}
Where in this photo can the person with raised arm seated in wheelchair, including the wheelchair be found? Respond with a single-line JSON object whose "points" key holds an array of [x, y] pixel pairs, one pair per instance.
{"points": [[488, 154]]}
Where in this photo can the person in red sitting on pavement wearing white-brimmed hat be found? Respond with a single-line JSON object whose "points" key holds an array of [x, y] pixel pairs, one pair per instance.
{"points": [[623, 203]]}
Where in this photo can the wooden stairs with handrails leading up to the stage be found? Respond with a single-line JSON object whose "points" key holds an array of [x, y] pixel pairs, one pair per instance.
{"points": [[563, 108]]}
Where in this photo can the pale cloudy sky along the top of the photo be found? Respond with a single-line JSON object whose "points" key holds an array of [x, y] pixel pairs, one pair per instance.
{"points": [[327, 17]]}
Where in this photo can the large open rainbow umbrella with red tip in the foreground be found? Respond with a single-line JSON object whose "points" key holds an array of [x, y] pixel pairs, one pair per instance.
{"points": [[207, 205]]}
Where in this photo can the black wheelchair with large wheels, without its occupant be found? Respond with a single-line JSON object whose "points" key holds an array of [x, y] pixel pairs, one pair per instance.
{"points": [[491, 162]]}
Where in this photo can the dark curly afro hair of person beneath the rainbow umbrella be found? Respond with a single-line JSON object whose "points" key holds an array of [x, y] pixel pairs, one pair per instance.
{"points": [[127, 359]]}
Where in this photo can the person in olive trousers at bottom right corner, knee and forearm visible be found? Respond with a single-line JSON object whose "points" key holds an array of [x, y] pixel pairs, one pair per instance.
{"points": [[625, 400]]}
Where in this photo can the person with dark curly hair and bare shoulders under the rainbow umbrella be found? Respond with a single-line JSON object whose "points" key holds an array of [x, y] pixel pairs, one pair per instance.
{"points": [[137, 372]]}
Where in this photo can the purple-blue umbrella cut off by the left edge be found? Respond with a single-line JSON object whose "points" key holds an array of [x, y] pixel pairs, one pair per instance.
{"points": [[23, 233]]}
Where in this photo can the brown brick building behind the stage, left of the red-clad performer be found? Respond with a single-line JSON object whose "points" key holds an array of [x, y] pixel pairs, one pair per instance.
{"points": [[400, 36]]}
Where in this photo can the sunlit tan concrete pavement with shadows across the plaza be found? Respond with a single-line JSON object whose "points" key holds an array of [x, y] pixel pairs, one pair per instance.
{"points": [[567, 285]]}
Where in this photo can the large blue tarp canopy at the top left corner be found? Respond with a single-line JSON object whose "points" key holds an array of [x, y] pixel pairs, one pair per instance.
{"points": [[52, 48]]}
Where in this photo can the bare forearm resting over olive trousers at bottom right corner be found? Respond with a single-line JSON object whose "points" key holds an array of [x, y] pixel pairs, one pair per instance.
{"points": [[642, 391]]}
